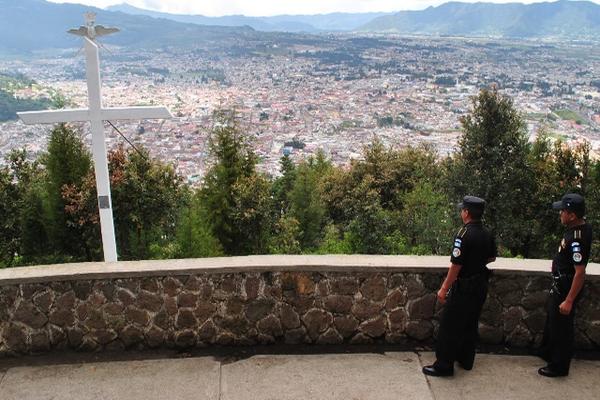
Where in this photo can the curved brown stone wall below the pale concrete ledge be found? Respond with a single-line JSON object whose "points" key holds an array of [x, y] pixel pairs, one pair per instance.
{"points": [[185, 308]]}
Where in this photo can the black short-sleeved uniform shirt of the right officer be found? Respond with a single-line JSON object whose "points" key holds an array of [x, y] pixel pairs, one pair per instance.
{"points": [[574, 249]]}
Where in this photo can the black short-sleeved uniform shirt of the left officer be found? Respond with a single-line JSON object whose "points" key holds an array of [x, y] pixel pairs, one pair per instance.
{"points": [[473, 247]]}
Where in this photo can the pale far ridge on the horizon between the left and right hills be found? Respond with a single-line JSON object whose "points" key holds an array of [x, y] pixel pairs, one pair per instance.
{"points": [[282, 23]]}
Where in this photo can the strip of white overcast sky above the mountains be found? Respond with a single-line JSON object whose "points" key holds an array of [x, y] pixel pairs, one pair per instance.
{"points": [[276, 7]]}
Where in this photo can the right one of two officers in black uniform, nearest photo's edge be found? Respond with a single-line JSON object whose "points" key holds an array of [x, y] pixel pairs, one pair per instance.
{"points": [[568, 275]]}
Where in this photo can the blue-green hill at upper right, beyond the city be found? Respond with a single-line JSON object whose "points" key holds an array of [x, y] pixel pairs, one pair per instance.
{"points": [[560, 19]]}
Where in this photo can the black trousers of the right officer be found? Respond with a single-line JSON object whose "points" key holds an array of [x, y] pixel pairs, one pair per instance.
{"points": [[559, 332]]}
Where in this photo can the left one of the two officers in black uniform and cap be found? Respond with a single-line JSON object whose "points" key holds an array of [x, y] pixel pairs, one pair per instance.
{"points": [[466, 287]]}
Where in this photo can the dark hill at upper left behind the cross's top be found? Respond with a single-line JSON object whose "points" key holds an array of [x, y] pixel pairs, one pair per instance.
{"points": [[29, 25]]}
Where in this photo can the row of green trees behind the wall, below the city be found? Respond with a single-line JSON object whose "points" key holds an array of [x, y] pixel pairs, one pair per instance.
{"points": [[389, 201]]}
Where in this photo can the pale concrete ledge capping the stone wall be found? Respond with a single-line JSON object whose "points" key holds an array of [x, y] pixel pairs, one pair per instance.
{"points": [[268, 263]]}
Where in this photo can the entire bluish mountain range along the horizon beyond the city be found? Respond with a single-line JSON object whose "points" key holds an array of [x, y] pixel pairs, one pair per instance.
{"points": [[30, 25]]}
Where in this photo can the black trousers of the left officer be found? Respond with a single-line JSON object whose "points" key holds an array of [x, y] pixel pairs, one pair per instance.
{"points": [[459, 325]]}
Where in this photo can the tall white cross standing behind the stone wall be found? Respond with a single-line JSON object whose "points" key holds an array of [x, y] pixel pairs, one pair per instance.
{"points": [[96, 114]]}
